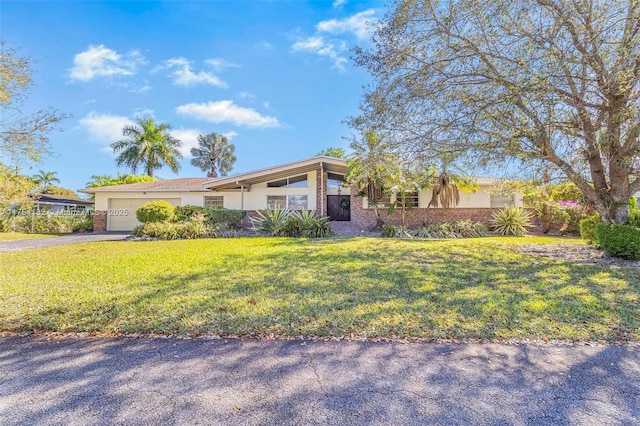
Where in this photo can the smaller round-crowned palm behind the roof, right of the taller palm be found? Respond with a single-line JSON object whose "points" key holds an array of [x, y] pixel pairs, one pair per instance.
{"points": [[213, 155]]}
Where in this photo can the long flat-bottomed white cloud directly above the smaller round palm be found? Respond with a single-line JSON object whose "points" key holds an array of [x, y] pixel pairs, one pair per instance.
{"points": [[227, 112]]}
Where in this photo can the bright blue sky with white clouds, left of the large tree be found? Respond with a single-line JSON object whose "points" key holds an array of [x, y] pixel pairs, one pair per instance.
{"points": [[275, 76]]}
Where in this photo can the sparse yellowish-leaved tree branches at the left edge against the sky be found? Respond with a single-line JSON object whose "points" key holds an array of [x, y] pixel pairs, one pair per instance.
{"points": [[22, 137]]}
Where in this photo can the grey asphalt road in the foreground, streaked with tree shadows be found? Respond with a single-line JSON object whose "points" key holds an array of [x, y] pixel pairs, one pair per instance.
{"points": [[76, 381]]}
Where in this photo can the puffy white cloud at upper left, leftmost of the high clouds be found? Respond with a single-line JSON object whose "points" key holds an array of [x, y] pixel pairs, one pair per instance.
{"points": [[100, 61]]}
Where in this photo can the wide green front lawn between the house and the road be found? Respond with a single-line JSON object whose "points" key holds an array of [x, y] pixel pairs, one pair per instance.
{"points": [[354, 287]]}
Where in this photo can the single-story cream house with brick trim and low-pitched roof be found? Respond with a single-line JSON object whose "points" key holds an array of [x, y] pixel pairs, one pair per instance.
{"points": [[313, 184]]}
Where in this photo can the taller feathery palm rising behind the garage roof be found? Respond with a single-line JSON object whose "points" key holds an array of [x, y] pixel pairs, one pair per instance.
{"points": [[147, 144]]}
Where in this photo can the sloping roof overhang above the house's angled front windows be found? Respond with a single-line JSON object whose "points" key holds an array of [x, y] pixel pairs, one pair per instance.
{"points": [[246, 180]]}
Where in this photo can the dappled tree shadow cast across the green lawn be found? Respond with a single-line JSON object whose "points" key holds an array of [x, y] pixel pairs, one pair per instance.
{"points": [[298, 287]]}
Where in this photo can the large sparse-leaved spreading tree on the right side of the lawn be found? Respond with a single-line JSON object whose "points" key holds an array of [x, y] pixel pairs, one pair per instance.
{"points": [[551, 81]]}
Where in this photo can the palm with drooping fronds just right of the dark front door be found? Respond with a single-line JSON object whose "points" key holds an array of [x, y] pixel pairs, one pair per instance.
{"points": [[370, 166]]}
